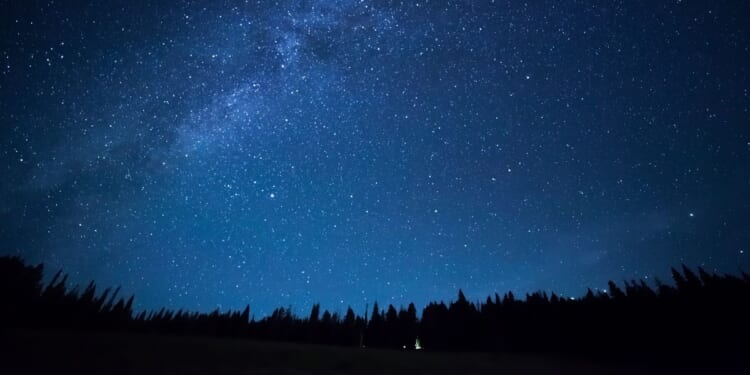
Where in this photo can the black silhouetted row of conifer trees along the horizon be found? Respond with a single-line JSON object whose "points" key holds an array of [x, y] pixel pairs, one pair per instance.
{"points": [[702, 314]]}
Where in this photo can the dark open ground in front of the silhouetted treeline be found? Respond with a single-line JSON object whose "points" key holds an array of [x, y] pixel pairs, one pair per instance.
{"points": [[81, 353]]}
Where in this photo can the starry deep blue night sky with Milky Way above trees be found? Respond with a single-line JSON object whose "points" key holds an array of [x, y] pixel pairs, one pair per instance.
{"points": [[206, 154]]}
